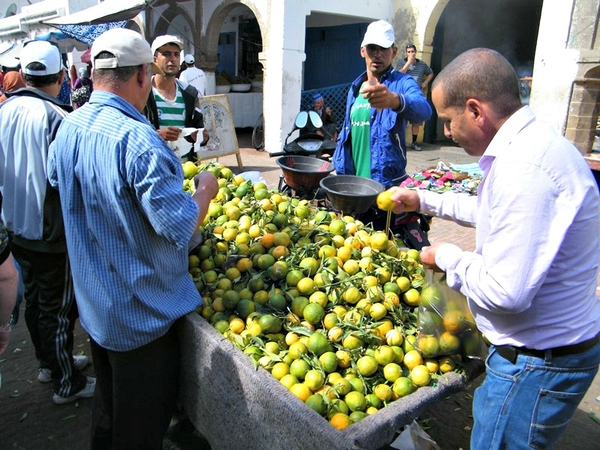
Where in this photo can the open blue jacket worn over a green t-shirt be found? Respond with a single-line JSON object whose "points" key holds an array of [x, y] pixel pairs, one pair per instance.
{"points": [[388, 127]]}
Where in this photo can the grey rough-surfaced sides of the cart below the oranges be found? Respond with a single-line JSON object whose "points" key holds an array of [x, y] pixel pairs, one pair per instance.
{"points": [[233, 405]]}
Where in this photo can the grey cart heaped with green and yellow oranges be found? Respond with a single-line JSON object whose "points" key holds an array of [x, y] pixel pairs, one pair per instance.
{"points": [[316, 331]]}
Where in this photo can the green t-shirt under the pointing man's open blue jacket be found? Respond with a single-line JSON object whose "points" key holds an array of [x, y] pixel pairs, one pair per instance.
{"points": [[360, 135]]}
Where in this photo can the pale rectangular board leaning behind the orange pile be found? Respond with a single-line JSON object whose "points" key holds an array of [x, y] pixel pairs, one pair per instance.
{"points": [[218, 121]]}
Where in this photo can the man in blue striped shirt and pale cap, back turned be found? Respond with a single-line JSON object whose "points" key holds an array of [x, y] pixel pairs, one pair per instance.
{"points": [[128, 223]]}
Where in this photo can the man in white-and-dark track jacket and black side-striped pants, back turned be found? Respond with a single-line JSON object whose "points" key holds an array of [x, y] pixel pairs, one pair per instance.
{"points": [[31, 212]]}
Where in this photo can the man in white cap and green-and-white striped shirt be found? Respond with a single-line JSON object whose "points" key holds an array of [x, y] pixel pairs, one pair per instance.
{"points": [[172, 104]]}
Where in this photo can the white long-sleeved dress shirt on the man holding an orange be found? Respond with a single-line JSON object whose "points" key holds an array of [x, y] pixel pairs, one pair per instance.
{"points": [[531, 280]]}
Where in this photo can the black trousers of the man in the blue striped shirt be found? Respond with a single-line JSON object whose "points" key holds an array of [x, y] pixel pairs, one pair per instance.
{"points": [[137, 394]]}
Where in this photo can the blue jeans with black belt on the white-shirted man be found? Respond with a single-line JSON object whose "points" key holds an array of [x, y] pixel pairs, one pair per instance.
{"points": [[529, 404]]}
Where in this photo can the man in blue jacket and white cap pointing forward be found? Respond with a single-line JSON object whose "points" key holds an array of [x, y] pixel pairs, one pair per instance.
{"points": [[380, 101]]}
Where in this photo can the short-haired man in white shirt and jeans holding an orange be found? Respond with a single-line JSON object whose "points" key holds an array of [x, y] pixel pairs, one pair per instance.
{"points": [[531, 281]]}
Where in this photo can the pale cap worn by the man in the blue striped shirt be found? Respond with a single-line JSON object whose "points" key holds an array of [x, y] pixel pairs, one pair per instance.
{"points": [[128, 46]]}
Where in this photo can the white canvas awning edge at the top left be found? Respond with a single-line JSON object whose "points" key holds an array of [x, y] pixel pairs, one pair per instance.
{"points": [[107, 11]]}
